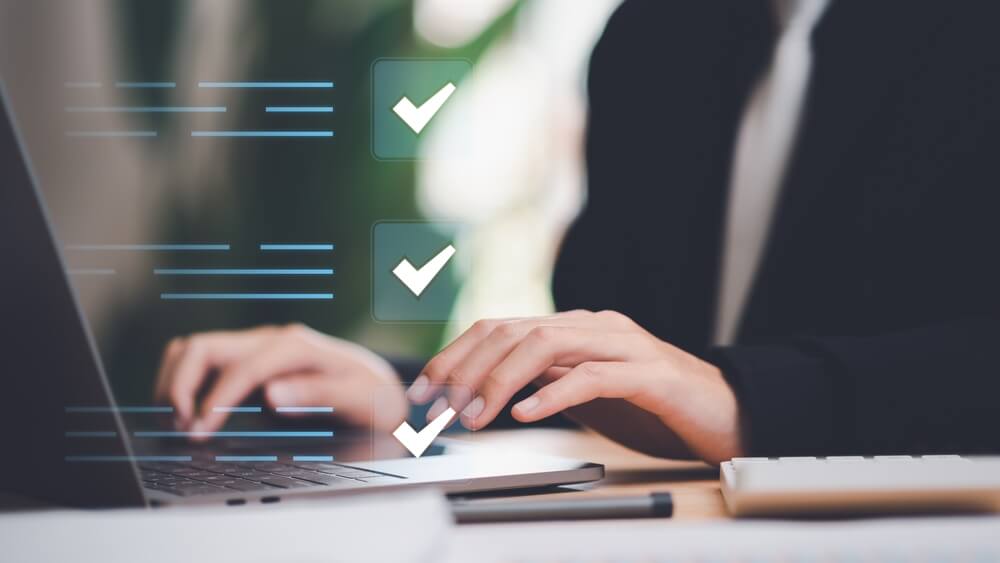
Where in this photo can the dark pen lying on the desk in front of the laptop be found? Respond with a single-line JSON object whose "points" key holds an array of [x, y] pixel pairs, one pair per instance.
{"points": [[653, 505]]}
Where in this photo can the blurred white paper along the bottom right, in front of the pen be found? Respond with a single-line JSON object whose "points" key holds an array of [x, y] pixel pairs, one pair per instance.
{"points": [[898, 539]]}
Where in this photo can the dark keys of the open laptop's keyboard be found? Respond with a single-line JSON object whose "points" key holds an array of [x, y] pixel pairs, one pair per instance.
{"points": [[194, 478]]}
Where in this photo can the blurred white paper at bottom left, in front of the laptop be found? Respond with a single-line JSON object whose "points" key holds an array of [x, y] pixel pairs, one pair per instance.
{"points": [[401, 527]]}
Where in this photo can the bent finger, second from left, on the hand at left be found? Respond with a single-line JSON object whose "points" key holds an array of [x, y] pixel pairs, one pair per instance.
{"points": [[200, 355]]}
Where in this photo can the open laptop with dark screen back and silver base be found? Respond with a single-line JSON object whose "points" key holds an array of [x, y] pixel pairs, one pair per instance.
{"points": [[66, 441]]}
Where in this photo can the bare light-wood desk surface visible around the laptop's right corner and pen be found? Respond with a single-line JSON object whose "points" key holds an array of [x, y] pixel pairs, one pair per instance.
{"points": [[694, 485]]}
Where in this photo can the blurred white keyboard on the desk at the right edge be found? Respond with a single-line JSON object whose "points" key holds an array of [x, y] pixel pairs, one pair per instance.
{"points": [[855, 484]]}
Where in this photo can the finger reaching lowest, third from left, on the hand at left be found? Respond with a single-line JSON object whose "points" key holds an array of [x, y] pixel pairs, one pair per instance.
{"points": [[279, 356]]}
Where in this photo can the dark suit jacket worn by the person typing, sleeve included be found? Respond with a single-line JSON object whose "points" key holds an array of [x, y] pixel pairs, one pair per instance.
{"points": [[874, 321]]}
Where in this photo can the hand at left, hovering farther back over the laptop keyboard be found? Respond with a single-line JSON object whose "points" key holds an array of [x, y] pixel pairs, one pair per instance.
{"points": [[295, 366]]}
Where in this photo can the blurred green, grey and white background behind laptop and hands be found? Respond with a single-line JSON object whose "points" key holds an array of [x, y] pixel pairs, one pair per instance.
{"points": [[526, 91]]}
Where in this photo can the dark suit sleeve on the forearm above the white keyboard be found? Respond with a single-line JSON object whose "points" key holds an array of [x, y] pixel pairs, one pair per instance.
{"points": [[924, 390]]}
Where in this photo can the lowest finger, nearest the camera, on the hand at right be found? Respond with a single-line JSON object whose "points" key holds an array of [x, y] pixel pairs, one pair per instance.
{"points": [[584, 383]]}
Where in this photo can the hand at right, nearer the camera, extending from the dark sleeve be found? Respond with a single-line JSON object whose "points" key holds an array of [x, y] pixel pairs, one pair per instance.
{"points": [[579, 358]]}
